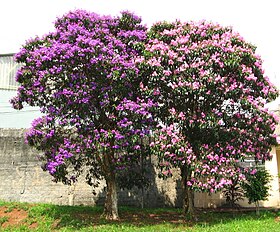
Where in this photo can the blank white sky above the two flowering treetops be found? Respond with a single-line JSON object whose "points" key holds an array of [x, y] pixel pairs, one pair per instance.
{"points": [[256, 20]]}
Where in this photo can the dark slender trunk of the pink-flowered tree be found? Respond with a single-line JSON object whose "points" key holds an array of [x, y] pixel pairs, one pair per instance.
{"points": [[188, 197]]}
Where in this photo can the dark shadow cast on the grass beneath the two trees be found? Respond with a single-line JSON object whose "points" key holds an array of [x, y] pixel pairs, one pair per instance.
{"points": [[79, 217]]}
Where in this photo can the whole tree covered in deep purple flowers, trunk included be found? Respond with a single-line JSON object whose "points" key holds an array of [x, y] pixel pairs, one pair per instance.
{"points": [[85, 81]]}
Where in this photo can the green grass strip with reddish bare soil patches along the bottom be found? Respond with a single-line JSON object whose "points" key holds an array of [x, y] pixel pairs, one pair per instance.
{"points": [[47, 217]]}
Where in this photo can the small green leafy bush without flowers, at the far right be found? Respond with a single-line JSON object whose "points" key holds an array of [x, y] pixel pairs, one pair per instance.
{"points": [[256, 187]]}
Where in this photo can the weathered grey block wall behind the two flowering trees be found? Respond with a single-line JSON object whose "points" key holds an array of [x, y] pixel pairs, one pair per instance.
{"points": [[22, 179]]}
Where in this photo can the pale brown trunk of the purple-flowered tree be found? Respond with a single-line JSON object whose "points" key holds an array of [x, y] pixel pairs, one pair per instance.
{"points": [[111, 201]]}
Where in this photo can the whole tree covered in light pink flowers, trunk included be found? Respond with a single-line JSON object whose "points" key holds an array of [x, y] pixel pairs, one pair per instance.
{"points": [[211, 90]]}
